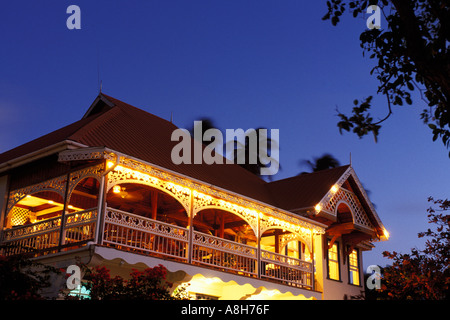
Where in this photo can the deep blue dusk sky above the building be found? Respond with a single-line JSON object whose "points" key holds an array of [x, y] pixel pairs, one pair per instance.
{"points": [[245, 64]]}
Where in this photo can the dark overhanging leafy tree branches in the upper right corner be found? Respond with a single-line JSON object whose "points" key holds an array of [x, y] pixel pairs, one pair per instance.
{"points": [[411, 52]]}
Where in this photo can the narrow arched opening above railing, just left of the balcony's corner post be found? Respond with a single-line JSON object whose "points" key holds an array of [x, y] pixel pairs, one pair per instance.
{"points": [[84, 196]]}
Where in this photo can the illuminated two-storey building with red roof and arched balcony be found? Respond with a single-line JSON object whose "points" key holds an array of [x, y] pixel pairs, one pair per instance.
{"points": [[104, 190]]}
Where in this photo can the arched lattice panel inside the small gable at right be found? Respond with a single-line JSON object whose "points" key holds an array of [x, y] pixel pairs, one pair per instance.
{"points": [[359, 216]]}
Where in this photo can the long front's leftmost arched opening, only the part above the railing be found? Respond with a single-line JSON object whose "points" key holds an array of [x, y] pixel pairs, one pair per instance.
{"points": [[148, 202]]}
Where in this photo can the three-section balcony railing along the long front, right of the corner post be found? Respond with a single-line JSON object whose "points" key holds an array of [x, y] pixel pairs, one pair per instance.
{"points": [[126, 231]]}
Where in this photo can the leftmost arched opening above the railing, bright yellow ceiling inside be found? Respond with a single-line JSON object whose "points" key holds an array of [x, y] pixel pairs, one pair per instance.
{"points": [[35, 208]]}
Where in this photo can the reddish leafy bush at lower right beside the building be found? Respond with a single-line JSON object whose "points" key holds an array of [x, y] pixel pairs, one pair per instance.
{"points": [[422, 274]]}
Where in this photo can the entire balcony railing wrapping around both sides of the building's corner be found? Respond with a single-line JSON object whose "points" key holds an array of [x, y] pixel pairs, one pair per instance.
{"points": [[129, 232]]}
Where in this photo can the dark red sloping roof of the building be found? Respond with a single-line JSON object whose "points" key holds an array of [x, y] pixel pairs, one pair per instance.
{"points": [[116, 125]]}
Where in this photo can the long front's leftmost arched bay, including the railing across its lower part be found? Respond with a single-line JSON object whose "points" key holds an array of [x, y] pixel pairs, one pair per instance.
{"points": [[140, 218]]}
